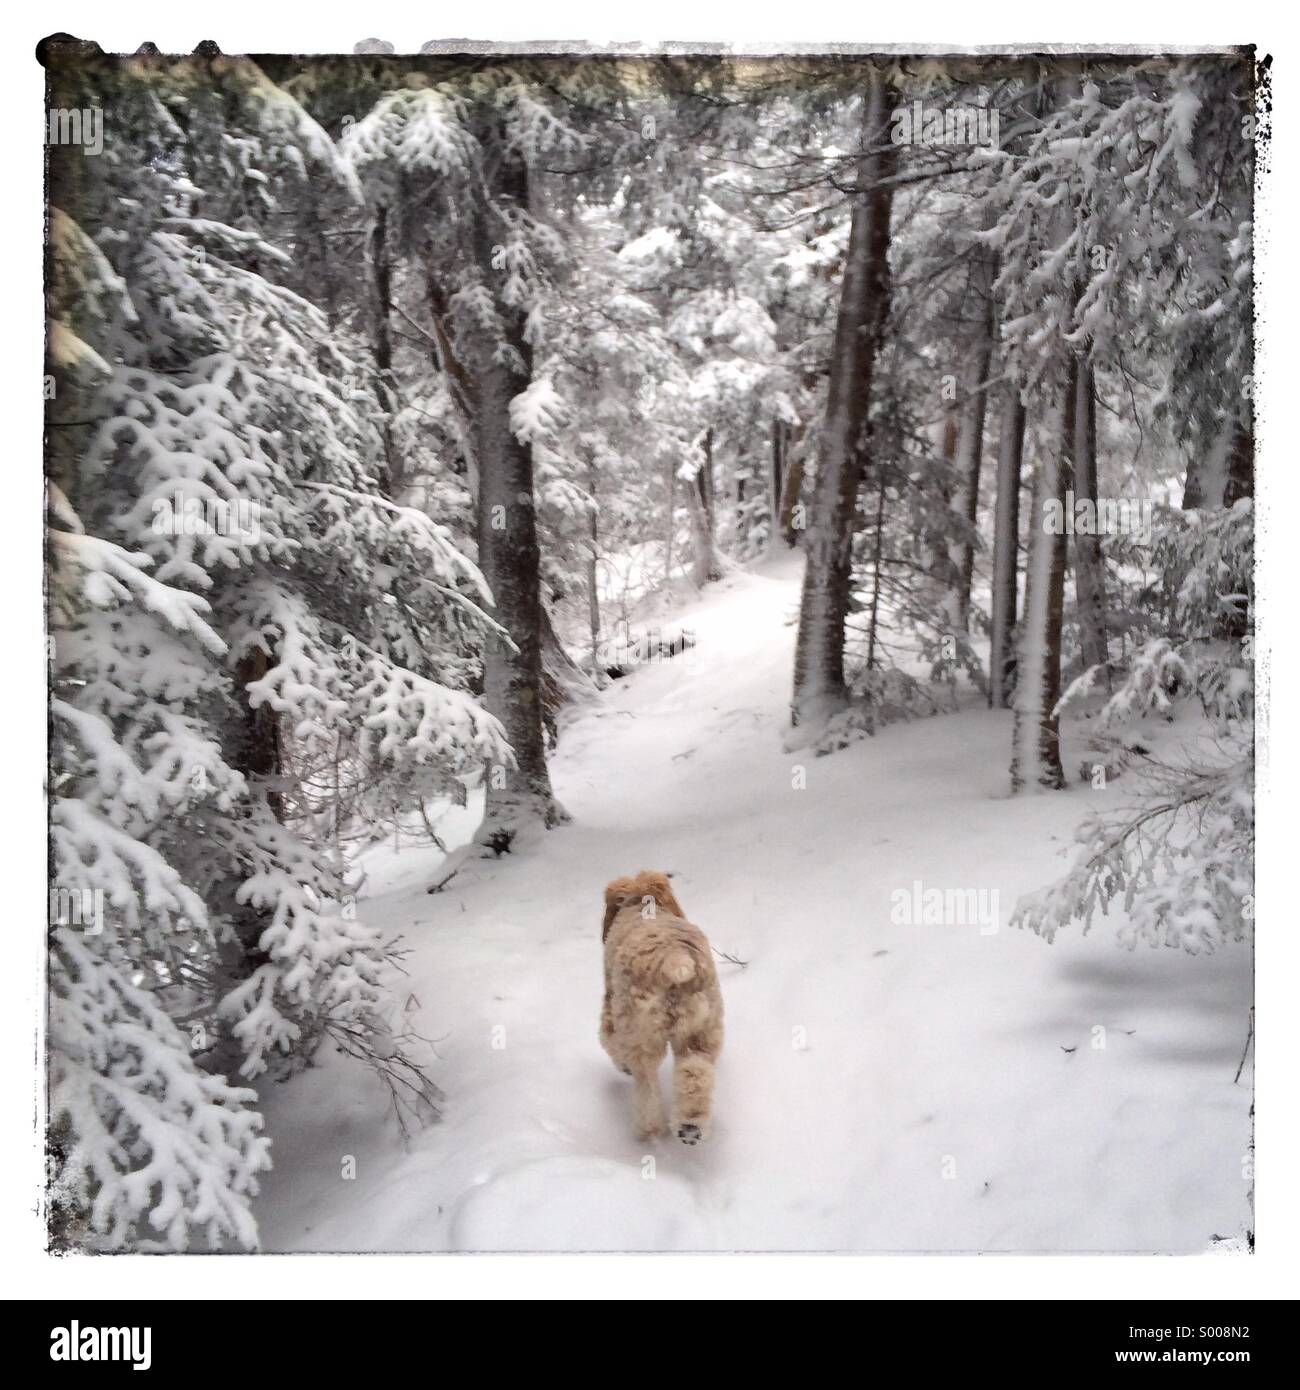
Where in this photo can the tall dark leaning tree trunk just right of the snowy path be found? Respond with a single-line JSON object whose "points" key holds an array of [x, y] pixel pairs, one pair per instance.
{"points": [[820, 686]]}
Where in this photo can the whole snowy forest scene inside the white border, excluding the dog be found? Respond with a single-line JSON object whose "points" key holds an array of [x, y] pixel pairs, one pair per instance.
{"points": [[475, 476]]}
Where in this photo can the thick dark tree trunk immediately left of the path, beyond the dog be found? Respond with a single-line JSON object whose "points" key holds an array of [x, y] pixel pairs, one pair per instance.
{"points": [[508, 548]]}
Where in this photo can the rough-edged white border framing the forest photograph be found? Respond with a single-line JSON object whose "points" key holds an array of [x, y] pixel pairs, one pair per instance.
{"points": [[240, 26]]}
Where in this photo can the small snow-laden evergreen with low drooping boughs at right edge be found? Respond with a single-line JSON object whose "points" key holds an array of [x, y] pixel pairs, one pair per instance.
{"points": [[1178, 856]]}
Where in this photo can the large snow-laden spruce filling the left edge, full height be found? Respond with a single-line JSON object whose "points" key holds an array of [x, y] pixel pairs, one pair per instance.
{"points": [[201, 662]]}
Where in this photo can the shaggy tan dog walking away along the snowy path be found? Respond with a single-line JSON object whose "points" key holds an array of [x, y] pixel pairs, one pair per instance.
{"points": [[661, 990]]}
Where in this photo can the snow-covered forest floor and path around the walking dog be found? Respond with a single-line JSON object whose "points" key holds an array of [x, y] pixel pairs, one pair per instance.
{"points": [[885, 1086]]}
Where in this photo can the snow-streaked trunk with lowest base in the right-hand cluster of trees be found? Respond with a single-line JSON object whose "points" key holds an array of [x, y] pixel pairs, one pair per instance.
{"points": [[1037, 739]]}
